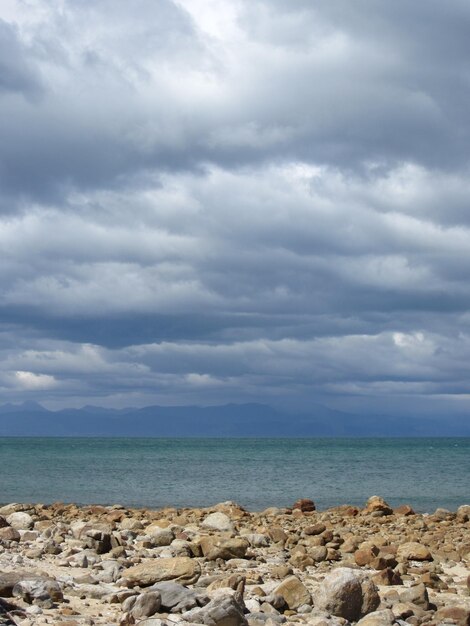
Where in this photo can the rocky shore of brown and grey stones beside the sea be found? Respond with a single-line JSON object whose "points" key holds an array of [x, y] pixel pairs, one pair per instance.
{"points": [[225, 566]]}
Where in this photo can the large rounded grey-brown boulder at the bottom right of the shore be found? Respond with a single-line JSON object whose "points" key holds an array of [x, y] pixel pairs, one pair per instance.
{"points": [[345, 593]]}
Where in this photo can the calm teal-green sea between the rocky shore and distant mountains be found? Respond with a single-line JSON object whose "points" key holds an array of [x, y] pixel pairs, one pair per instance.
{"points": [[256, 473]]}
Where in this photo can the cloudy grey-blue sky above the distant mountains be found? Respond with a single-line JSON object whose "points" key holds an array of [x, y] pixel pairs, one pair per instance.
{"points": [[211, 201]]}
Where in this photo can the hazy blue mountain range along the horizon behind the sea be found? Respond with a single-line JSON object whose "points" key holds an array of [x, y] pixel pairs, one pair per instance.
{"points": [[229, 420]]}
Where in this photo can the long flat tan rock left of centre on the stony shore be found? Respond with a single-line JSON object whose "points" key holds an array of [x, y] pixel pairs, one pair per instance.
{"points": [[180, 569]]}
